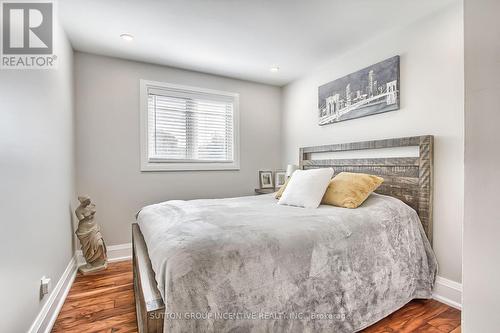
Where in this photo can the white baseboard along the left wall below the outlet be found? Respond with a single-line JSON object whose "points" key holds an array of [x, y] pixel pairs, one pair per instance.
{"points": [[48, 314]]}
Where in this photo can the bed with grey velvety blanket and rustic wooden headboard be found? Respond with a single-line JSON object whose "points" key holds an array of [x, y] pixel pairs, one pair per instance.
{"points": [[250, 265]]}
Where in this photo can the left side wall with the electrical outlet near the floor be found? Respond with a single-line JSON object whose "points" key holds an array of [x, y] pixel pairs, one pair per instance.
{"points": [[36, 183]]}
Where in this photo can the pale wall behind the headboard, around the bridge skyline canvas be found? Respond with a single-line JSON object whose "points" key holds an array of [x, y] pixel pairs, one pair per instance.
{"points": [[431, 103]]}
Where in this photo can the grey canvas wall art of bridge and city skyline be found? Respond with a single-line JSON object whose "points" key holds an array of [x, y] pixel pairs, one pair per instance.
{"points": [[369, 91]]}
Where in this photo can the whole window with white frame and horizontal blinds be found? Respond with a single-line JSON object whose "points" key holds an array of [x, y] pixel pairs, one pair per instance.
{"points": [[187, 128]]}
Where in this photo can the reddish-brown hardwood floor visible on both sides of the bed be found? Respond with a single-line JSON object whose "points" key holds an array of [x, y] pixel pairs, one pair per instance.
{"points": [[104, 303]]}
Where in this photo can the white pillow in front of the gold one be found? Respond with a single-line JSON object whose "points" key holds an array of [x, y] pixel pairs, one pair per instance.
{"points": [[306, 188]]}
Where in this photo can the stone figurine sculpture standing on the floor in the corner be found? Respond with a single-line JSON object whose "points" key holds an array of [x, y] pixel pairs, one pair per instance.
{"points": [[89, 234]]}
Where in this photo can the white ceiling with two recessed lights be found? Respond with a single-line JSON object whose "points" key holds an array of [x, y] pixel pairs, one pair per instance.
{"points": [[235, 38]]}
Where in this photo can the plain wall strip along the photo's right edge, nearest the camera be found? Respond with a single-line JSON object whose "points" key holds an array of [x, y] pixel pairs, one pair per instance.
{"points": [[481, 288]]}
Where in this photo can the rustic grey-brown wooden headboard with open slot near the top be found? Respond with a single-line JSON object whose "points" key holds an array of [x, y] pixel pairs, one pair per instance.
{"points": [[409, 179]]}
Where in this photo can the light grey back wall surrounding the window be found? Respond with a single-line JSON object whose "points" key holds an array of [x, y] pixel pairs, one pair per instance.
{"points": [[108, 159]]}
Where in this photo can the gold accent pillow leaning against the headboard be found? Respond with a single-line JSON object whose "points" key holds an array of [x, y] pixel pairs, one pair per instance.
{"points": [[350, 190]]}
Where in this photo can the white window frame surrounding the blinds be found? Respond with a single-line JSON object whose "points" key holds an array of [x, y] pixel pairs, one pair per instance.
{"points": [[183, 165]]}
